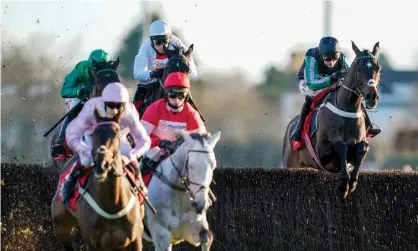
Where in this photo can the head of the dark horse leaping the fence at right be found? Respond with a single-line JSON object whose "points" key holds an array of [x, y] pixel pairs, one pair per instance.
{"points": [[366, 74]]}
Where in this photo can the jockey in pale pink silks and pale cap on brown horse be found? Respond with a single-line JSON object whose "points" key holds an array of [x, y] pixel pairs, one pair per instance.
{"points": [[114, 100]]}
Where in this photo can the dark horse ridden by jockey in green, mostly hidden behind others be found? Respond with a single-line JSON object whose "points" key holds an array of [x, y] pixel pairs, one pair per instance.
{"points": [[103, 73]]}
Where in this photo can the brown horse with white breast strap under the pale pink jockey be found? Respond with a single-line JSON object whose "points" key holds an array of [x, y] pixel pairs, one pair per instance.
{"points": [[108, 212]]}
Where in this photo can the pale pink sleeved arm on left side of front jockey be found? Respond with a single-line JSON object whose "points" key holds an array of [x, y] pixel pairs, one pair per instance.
{"points": [[78, 126]]}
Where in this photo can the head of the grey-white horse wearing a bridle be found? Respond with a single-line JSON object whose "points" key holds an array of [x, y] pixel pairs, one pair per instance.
{"points": [[198, 164]]}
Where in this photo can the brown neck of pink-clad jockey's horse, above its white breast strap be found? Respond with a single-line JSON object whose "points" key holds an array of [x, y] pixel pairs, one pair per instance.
{"points": [[111, 193]]}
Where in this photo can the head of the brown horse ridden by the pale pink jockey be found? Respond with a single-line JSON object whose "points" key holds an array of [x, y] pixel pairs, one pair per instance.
{"points": [[105, 144]]}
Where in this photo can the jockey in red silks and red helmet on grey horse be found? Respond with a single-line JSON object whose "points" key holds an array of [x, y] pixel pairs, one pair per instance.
{"points": [[164, 118]]}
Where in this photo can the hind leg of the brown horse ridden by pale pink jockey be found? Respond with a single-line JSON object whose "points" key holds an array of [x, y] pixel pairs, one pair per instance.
{"points": [[63, 224]]}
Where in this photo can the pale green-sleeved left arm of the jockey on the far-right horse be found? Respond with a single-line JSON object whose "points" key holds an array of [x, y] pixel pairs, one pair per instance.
{"points": [[312, 76]]}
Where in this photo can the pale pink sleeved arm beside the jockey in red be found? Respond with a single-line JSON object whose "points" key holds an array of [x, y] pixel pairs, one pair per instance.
{"points": [[138, 132]]}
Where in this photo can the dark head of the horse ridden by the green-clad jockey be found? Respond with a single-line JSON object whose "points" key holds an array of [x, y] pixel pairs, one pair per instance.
{"points": [[103, 74]]}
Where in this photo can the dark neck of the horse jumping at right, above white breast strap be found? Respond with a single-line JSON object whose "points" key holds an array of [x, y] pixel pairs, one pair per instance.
{"points": [[345, 99]]}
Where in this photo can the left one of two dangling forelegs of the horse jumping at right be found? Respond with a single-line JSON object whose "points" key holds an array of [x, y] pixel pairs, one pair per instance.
{"points": [[341, 149]]}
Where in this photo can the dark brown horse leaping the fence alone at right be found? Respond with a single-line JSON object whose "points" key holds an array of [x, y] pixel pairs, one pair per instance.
{"points": [[338, 133]]}
